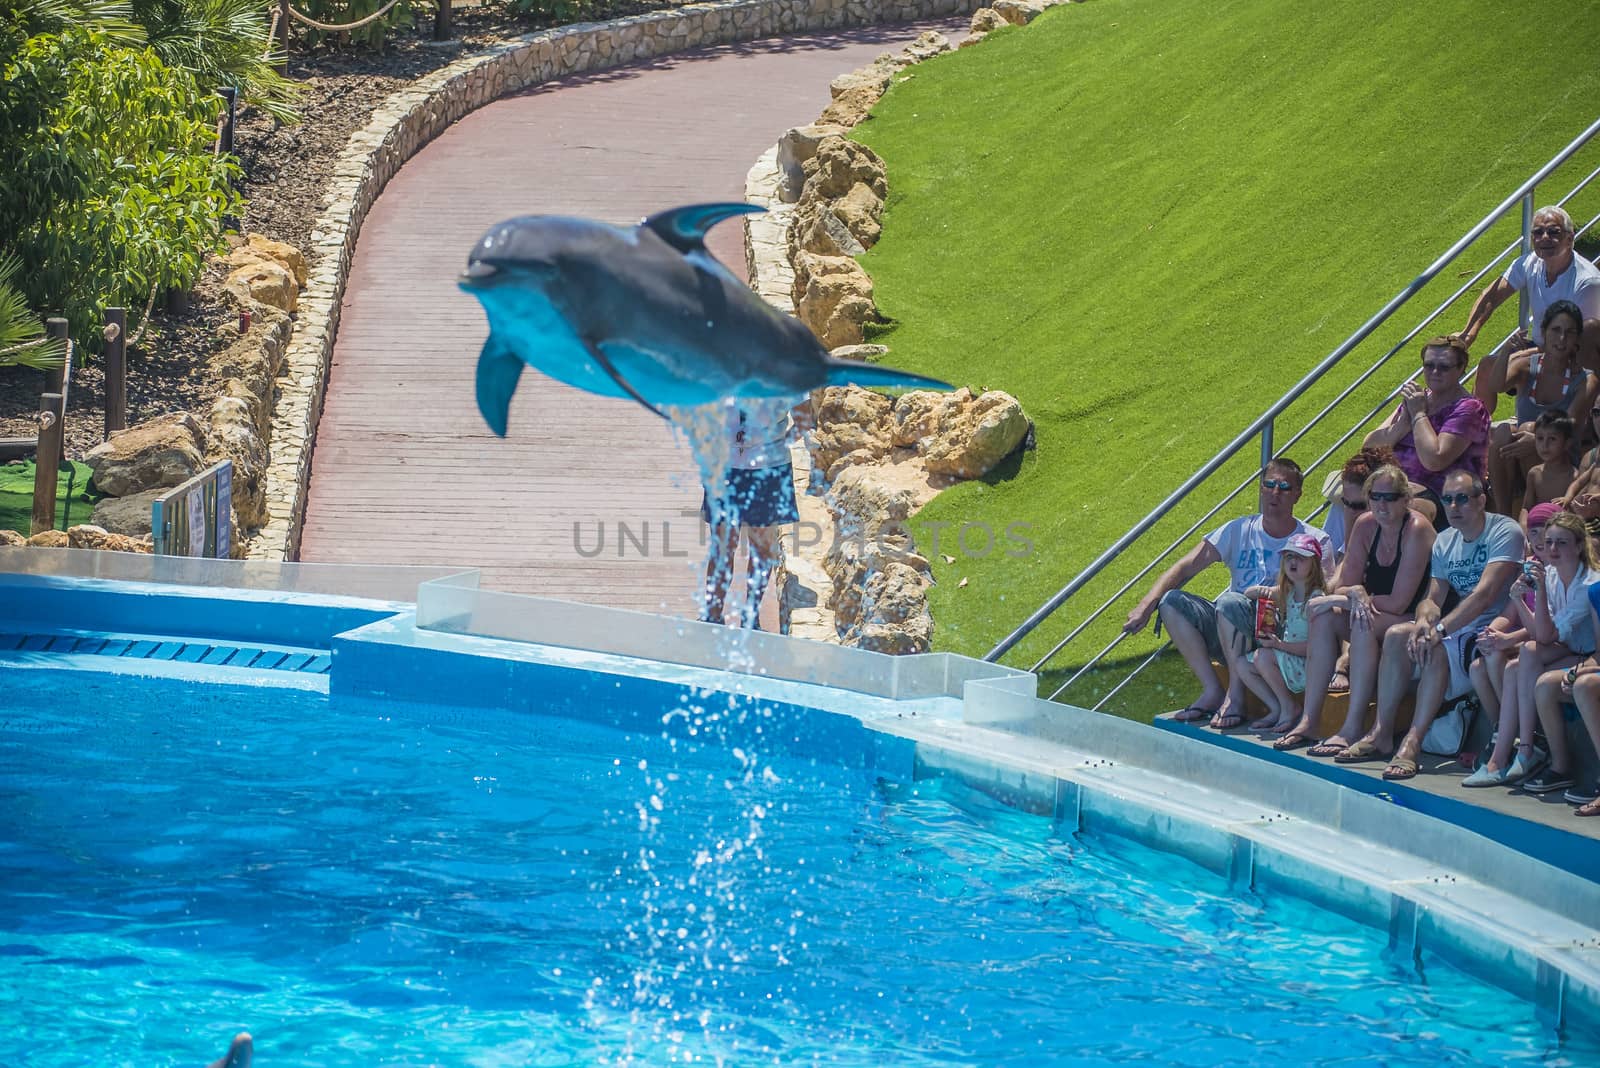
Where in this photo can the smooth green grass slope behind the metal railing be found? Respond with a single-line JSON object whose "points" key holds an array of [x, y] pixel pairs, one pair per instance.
{"points": [[1150, 220]]}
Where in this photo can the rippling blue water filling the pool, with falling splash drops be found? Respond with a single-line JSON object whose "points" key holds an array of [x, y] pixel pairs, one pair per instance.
{"points": [[404, 885]]}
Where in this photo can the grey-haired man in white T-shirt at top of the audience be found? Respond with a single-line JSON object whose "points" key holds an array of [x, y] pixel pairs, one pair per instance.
{"points": [[1551, 273]]}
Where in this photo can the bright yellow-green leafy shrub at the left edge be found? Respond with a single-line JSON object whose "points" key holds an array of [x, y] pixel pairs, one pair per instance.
{"points": [[108, 180]]}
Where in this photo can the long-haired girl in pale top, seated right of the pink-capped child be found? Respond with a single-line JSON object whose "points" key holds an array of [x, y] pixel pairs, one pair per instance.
{"points": [[1561, 631]]}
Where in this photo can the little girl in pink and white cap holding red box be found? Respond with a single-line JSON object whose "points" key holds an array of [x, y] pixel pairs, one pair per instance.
{"points": [[1276, 672]]}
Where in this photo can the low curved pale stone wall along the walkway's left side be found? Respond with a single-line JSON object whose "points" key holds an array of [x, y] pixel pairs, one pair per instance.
{"points": [[418, 114]]}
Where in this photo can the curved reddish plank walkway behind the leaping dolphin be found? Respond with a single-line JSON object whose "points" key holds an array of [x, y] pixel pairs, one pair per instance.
{"points": [[404, 469]]}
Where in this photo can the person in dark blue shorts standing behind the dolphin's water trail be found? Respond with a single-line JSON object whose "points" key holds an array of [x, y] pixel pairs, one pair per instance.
{"points": [[759, 498]]}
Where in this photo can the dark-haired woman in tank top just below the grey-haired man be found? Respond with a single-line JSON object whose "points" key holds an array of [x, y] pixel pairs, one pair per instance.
{"points": [[1545, 380]]}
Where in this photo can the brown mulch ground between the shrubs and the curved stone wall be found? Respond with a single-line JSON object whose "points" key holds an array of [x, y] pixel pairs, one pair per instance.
{"points": [[286, 175]]}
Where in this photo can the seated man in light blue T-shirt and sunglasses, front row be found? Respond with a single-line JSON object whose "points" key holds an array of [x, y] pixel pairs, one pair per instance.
{"points": [[1478, 557]]}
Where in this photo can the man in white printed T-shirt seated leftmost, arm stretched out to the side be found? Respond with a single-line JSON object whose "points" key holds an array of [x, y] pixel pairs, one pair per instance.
{"points": [[1226, 629]]}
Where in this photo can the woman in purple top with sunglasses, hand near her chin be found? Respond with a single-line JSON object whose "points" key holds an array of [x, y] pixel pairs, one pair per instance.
{"points": [[1441, 429]]}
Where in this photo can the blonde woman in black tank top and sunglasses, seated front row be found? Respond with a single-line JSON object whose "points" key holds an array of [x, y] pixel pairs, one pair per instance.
{"points": [[1383, 578]]}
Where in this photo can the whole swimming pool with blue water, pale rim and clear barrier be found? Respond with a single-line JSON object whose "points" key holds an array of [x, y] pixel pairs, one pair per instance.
{"points": [[500, 831]]}
